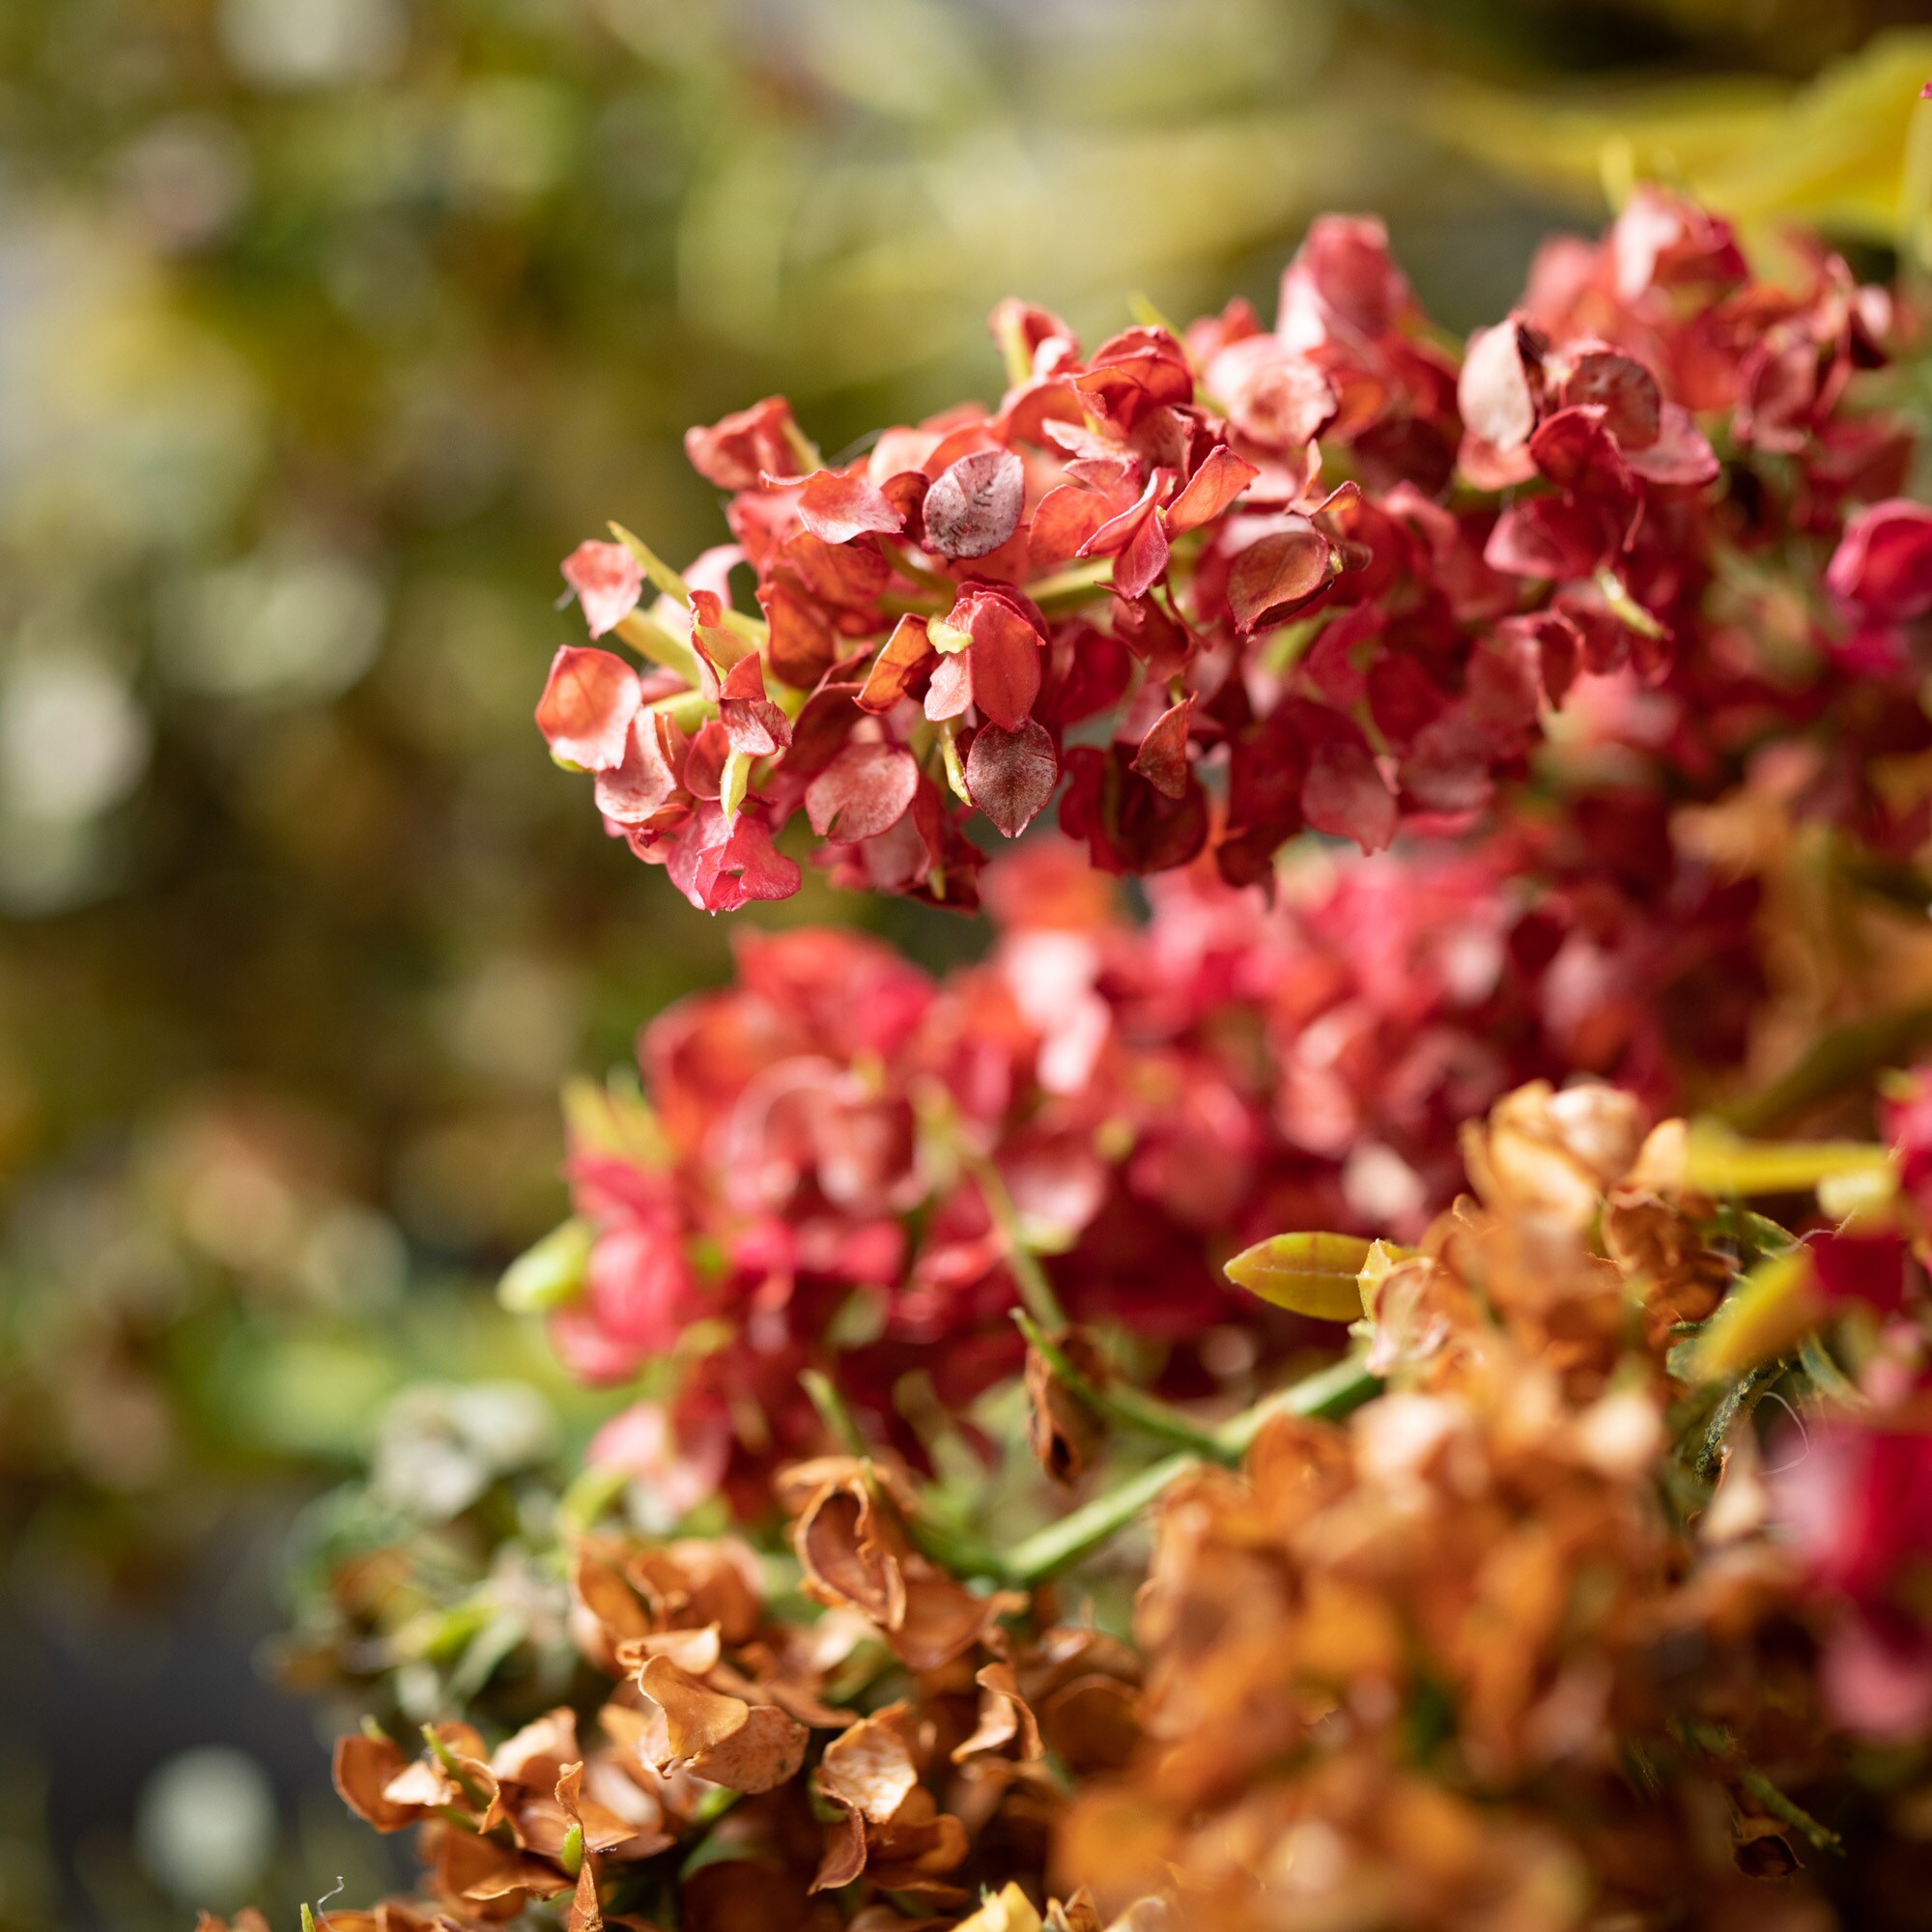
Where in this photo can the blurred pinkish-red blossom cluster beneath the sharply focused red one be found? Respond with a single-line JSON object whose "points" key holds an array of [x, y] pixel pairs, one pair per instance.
{"points": [[841, 1162]]}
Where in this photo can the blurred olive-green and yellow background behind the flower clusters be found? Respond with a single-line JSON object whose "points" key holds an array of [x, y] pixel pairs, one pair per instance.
{"points": [[326, 329]]}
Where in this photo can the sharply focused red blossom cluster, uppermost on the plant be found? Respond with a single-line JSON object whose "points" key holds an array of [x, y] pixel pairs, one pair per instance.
{"points": [[1232, 582]]}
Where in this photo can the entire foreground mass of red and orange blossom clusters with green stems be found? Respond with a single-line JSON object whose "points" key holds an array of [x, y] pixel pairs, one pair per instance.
{"points": [[1234, 1417]]}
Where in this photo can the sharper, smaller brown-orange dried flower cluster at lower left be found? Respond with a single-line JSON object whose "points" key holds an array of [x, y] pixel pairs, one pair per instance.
{"points": [[733, 1726]]}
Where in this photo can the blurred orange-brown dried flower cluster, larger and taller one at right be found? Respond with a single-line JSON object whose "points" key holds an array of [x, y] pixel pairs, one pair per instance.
{"points": [[1481, 1659]]}
